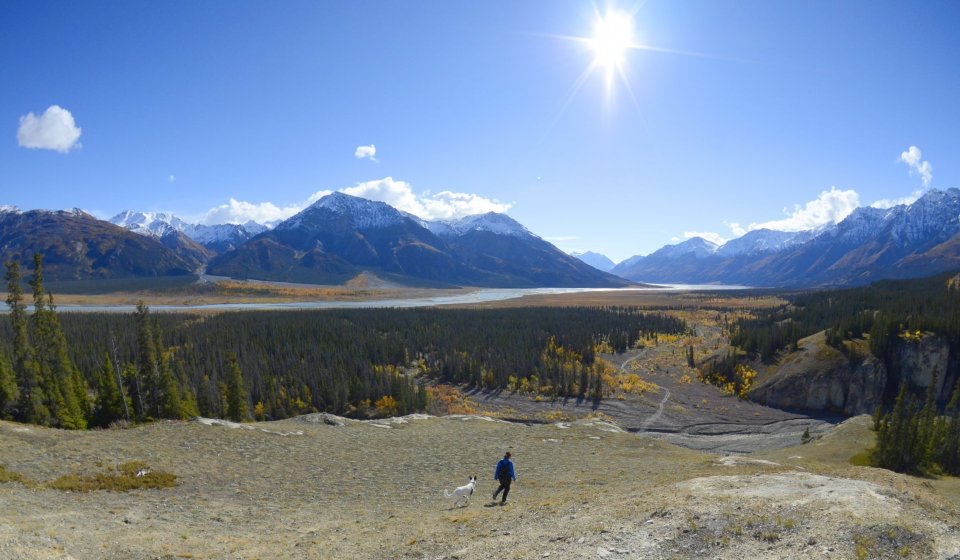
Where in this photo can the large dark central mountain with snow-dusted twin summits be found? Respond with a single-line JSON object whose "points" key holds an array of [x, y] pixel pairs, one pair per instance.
{"points": [[340, 236]]}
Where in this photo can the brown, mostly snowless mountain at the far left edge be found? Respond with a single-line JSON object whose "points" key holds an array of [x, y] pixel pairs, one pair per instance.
{"points": [[77, 246]]}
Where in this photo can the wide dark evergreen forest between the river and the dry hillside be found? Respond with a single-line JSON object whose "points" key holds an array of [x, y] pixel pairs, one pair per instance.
{"points": [[75, 370]]}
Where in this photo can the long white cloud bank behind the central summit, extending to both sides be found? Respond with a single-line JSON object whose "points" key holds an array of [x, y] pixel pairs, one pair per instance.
{"points": [[444, 205]]}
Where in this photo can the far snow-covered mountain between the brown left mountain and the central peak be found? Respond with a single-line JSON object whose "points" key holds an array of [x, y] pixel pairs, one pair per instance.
{"points": [[218, 238]]}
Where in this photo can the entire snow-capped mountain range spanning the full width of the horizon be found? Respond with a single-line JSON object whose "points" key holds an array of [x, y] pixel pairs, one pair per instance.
{"points": [[341, 236]]}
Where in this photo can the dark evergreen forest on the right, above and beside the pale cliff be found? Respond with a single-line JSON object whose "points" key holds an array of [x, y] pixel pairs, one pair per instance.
{"points": [[914, 435]]}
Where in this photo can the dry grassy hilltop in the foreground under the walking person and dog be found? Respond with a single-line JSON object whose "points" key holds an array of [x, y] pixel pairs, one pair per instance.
{"points": [[304, 488]]}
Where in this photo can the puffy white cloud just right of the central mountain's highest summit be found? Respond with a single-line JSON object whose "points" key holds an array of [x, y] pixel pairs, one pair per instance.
{"points": [[443, 205]]}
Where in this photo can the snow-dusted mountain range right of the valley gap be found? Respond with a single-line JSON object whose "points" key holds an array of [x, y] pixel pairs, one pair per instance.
{"points": [[904, 241]]}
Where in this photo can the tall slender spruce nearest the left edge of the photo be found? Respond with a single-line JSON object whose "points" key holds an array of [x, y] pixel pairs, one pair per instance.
{"points": [[30, 405]]}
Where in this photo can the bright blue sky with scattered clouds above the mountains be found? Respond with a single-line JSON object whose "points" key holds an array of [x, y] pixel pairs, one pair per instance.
{"points": [[771, 106]]}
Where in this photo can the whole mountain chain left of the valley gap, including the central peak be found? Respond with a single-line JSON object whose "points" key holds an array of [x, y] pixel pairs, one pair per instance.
{"points": [[332, 241]]}
